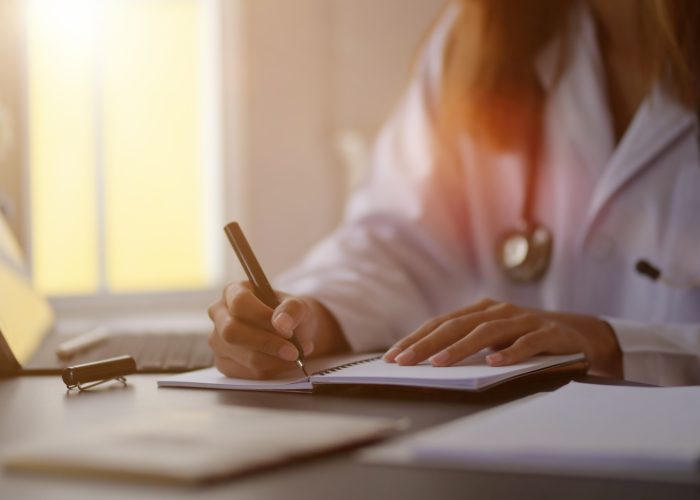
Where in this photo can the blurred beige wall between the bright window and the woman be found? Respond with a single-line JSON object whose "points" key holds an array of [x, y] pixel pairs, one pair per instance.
{"points": [[318, 72]]}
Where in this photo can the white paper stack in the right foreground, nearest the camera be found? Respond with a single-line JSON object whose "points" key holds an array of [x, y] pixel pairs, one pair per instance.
{"points": [[598, 430]]}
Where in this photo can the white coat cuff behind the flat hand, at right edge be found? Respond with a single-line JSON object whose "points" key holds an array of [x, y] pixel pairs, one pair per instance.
{"points": [[665, 354]]}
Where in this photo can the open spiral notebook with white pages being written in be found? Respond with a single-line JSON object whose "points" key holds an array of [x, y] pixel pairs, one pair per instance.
{"points": [[472, 374]]}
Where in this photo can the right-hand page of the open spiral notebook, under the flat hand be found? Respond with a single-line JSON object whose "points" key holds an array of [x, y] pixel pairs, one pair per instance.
{"points": [[470, 374]]}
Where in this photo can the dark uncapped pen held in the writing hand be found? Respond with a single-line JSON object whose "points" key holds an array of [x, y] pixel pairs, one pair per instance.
{"points": [[261, 286]]}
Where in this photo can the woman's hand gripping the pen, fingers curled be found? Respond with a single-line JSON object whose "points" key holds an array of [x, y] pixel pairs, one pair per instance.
{"points": [[251, 340]]}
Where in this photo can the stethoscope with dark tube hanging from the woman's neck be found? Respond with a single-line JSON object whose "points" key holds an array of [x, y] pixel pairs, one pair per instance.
{"points": [[525, 251]]}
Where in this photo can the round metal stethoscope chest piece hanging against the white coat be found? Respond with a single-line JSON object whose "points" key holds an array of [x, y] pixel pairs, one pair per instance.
{"points": [[524, 253]]}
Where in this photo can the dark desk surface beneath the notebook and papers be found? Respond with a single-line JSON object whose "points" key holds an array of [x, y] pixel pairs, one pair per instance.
{"points": [[33, 405]]}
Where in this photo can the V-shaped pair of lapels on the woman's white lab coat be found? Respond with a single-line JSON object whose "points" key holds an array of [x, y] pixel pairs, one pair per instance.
{"points": [[582, 117]]}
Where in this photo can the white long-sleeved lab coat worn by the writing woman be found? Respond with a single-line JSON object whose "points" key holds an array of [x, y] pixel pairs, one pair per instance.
{"points": [[419, 236]]}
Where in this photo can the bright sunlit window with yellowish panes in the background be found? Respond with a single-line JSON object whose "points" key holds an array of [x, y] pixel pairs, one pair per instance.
{"points": [[123, 130]]}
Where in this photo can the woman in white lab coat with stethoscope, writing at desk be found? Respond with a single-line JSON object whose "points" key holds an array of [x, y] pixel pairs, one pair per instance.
{"points": [[540, 151]]}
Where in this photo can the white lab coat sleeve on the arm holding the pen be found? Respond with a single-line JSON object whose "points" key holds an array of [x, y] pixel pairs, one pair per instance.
{"points": [[399, 256]]}
